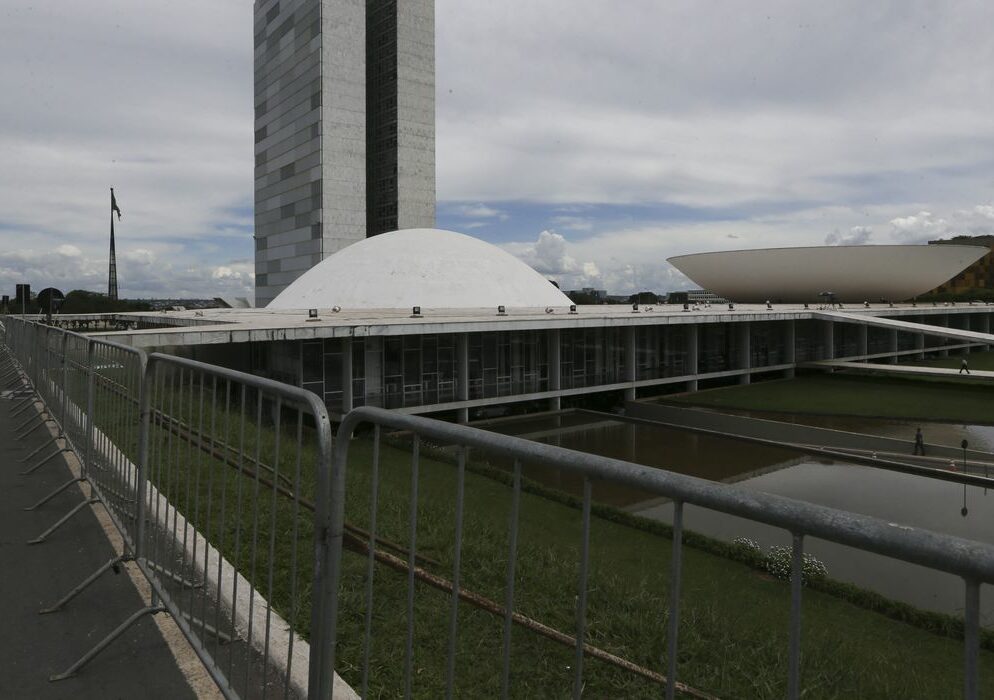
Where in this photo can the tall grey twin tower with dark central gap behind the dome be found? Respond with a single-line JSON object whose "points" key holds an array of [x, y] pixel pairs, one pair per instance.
{"points": [[344, 128]]}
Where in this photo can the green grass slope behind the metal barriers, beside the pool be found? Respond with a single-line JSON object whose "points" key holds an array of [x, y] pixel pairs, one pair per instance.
{"points": [[734, 622]]}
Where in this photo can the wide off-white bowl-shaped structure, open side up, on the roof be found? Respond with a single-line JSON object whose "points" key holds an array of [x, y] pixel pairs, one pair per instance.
{"points": [[851, 273]]}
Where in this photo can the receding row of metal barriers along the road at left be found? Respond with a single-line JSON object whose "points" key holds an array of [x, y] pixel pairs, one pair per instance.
{"points": [[202, 470]]}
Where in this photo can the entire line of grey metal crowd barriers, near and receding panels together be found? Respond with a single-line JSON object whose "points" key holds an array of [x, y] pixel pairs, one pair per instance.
{"points": [[206, 470]]}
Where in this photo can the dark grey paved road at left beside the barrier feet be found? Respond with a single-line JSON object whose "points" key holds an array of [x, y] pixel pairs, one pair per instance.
{"points": [[33, 646]]}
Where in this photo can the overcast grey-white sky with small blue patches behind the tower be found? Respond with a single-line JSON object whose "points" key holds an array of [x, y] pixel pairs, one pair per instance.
{"points": [[592, 139]]}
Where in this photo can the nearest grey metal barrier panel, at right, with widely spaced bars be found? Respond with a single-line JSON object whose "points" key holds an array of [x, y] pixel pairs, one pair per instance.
{"points": [[972, 561]]}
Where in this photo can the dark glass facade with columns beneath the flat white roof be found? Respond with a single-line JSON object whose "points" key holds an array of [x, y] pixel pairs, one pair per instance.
{"points": [[424, 370]]}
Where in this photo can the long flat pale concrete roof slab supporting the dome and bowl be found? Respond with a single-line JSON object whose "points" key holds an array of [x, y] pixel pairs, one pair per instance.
{"points": [[218, 326]]}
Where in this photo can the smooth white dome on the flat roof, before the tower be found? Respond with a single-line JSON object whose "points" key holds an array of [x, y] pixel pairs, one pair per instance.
{"points": [[423, 267]]}
